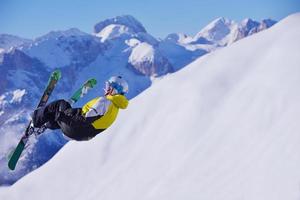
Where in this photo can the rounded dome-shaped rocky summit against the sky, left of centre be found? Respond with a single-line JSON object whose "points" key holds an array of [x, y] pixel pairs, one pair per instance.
{"points": [[125, 20]]}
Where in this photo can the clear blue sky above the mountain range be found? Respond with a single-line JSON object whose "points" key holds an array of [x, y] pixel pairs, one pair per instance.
{"points": [[33, 18]]}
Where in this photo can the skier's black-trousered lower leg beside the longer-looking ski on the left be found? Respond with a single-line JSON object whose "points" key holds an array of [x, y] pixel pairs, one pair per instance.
{"points": [[49, 113]]}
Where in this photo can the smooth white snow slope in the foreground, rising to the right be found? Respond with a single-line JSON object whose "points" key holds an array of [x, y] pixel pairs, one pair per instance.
{"points": [[234, 134]]}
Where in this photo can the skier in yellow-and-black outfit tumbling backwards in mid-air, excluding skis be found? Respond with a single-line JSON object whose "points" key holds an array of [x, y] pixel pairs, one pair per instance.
{"points": [[86, 122]]}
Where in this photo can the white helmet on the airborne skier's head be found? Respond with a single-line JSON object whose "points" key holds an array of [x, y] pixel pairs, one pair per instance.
{"points": [[119, 85]]}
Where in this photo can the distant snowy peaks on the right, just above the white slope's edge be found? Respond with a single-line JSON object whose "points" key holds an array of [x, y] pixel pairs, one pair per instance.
{"points": [[181, 49]]}
